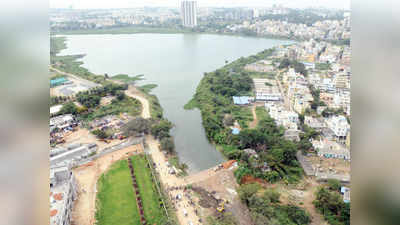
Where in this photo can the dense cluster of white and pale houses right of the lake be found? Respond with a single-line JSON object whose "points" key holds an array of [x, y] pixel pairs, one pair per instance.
{"points": [[292, 94]]}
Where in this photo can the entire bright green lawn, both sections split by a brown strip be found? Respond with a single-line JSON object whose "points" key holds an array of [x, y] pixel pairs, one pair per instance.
{"points": [[116, 199]]}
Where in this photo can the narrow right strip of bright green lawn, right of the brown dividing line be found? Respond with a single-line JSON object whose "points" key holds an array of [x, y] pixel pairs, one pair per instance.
{"points": [[153, 211]]}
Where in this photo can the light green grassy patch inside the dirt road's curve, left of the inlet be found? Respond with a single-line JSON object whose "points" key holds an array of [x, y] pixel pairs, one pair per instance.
{"points": [[129, 105]]}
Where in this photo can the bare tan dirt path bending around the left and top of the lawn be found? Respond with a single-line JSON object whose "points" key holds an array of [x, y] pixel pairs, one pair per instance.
{"points": [[86, 178]]}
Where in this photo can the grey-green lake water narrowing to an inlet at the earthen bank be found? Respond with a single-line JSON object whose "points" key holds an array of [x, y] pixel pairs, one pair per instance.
{"points": [[176, 63]]}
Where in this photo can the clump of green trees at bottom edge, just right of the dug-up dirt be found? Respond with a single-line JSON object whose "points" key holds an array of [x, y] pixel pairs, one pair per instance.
{"points": [[266, 208]]}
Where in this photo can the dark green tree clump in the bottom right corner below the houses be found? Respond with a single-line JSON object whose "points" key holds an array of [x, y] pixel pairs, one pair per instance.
{"points": [[329, 202]]}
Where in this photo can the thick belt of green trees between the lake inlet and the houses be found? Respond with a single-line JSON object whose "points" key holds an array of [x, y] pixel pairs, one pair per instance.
{"points": [[214, 99]]}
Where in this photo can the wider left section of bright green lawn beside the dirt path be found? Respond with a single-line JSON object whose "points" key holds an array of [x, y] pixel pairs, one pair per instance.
{"points": [[116, 200]]}
